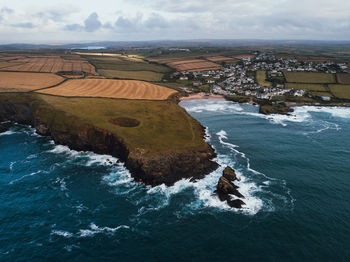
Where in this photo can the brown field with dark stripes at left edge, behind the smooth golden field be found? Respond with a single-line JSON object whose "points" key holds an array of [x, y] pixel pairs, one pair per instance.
{"points": [[45, 64]]}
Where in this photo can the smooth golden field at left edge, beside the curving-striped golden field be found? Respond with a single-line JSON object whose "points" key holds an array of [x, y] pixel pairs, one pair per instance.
{"points": [[23, 82]]}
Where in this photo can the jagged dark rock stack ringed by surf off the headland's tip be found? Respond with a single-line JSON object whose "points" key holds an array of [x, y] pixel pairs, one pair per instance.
{"points": [[226, 188]]}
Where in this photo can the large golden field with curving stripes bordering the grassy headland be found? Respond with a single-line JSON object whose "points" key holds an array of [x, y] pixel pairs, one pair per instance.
{"points": [[128, 89]]}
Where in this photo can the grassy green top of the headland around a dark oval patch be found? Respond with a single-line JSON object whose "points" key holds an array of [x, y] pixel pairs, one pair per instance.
{"points": [[164, 126]]}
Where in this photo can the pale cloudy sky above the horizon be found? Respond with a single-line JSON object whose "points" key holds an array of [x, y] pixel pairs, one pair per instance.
{"points": [[67, 21]]}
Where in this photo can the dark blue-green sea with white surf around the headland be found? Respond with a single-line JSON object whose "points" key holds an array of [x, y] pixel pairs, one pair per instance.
{"points": [[57, 204]]}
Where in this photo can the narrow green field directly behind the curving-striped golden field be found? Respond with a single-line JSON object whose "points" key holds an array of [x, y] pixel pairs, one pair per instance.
{"points": [[135, 75]]}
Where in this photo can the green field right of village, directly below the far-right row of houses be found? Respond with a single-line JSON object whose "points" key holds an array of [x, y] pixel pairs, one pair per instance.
{"points": [[306, 77]]}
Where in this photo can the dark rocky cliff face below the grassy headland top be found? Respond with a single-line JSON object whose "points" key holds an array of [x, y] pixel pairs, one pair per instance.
{"points": [[153, 169]]}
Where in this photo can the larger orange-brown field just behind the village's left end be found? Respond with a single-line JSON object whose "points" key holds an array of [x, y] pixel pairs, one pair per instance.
{"points": [[194, 65]]}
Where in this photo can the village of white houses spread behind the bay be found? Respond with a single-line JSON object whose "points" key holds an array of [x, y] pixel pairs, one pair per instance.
{"points": [[241, 78]]}
